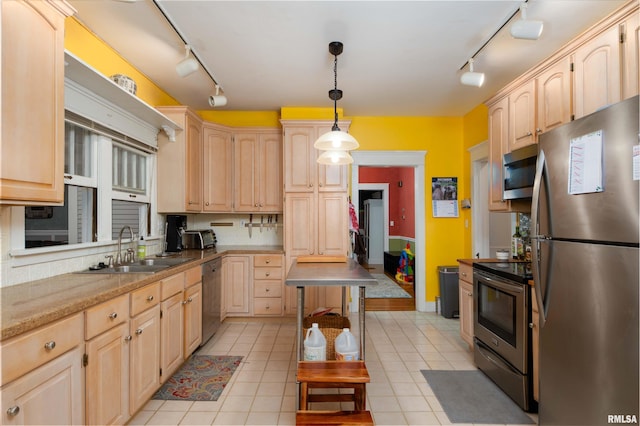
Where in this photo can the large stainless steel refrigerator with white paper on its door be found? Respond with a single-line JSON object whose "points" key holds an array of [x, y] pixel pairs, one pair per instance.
{"points": [[585, 266]]}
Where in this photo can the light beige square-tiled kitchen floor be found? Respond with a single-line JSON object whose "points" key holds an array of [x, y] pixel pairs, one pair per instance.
{"points": [[262, 391]]}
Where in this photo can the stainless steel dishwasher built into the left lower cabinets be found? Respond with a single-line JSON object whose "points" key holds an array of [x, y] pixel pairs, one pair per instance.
{"points": [[211, 298]]}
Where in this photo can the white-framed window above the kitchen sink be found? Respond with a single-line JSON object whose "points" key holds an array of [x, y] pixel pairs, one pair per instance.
{"points": [[120, 180]]}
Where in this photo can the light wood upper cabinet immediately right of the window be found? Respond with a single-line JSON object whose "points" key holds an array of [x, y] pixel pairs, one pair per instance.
{"points": [[180, 163]]}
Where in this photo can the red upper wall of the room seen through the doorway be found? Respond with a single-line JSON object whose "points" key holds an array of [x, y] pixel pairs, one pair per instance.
{"points": [[401, 198]]}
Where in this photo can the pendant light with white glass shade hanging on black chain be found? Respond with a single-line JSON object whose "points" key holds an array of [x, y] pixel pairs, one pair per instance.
{"points": [[335, 140]]}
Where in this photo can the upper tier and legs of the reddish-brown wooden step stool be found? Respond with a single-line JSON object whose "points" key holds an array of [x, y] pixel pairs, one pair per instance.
{"points": [[333, 374]]}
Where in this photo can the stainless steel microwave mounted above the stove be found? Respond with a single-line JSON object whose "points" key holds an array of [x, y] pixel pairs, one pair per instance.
{"points": [[519, 171]]}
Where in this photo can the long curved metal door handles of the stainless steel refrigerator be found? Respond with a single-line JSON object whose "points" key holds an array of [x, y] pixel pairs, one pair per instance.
{"points": [[541, 166]]}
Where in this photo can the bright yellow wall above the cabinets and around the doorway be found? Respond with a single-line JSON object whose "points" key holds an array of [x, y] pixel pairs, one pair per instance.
{"points": [[445, 139]]}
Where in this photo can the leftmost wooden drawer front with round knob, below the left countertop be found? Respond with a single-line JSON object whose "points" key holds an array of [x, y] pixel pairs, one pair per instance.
{"points": [[24, 353]]}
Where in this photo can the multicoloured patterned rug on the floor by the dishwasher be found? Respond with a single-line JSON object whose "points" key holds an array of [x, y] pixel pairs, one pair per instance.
{"points": [[201, 378]]}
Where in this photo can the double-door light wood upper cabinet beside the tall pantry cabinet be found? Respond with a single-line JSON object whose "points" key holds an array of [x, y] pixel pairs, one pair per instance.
{"points": [[258, 171]]}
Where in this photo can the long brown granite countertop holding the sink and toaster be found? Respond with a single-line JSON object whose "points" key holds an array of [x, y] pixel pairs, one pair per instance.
{"points": [[33, 304]]}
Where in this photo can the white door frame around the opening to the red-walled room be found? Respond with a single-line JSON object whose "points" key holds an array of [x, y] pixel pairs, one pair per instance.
{"points": [[415, 160]]}
